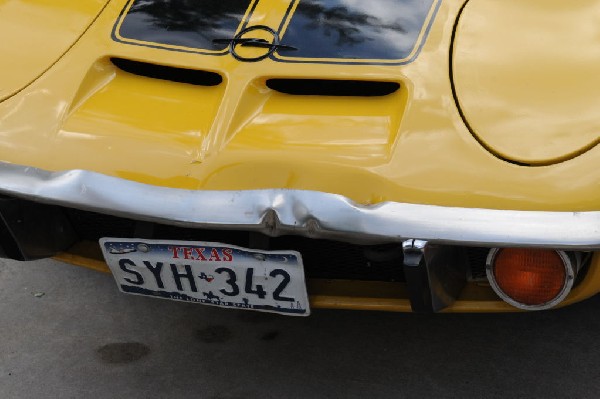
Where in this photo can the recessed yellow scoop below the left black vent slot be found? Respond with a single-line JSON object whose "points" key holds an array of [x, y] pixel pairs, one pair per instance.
{"points": [[136, 120]]}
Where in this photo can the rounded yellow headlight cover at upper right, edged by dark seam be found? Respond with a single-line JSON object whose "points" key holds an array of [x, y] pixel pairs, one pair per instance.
{"points": [[526, 76]]}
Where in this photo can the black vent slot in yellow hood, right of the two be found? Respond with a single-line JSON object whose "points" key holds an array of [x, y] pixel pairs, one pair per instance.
{"points": [[325, 87]]}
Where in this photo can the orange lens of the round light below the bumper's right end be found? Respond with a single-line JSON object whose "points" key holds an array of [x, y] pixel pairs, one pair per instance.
{"points": [[530, 276]]}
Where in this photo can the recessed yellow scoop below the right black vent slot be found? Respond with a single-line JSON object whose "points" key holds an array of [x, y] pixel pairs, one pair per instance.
{"points": [[341, 126]]}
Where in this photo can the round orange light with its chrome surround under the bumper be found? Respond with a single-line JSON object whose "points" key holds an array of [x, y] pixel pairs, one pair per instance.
{"points": [[532, 278]]}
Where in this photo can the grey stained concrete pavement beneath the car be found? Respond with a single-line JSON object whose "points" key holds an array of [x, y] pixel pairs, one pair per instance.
{"points": [[67, 332]]}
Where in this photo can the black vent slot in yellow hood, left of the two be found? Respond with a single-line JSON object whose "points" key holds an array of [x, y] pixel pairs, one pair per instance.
{"points": [[173, 74]]}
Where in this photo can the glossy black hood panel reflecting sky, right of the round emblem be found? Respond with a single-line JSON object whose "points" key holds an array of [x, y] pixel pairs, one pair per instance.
{"points": [[359, 29]]}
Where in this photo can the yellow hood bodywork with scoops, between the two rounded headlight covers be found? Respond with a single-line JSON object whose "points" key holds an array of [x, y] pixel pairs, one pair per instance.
{"points": [[81, 114]]}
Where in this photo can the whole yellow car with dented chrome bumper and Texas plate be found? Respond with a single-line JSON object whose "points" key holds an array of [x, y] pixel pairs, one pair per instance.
{"points": [[278, 155]]}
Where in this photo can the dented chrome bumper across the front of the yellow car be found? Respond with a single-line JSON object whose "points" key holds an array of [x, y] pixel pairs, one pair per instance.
{"points": [[308, 213]]}
